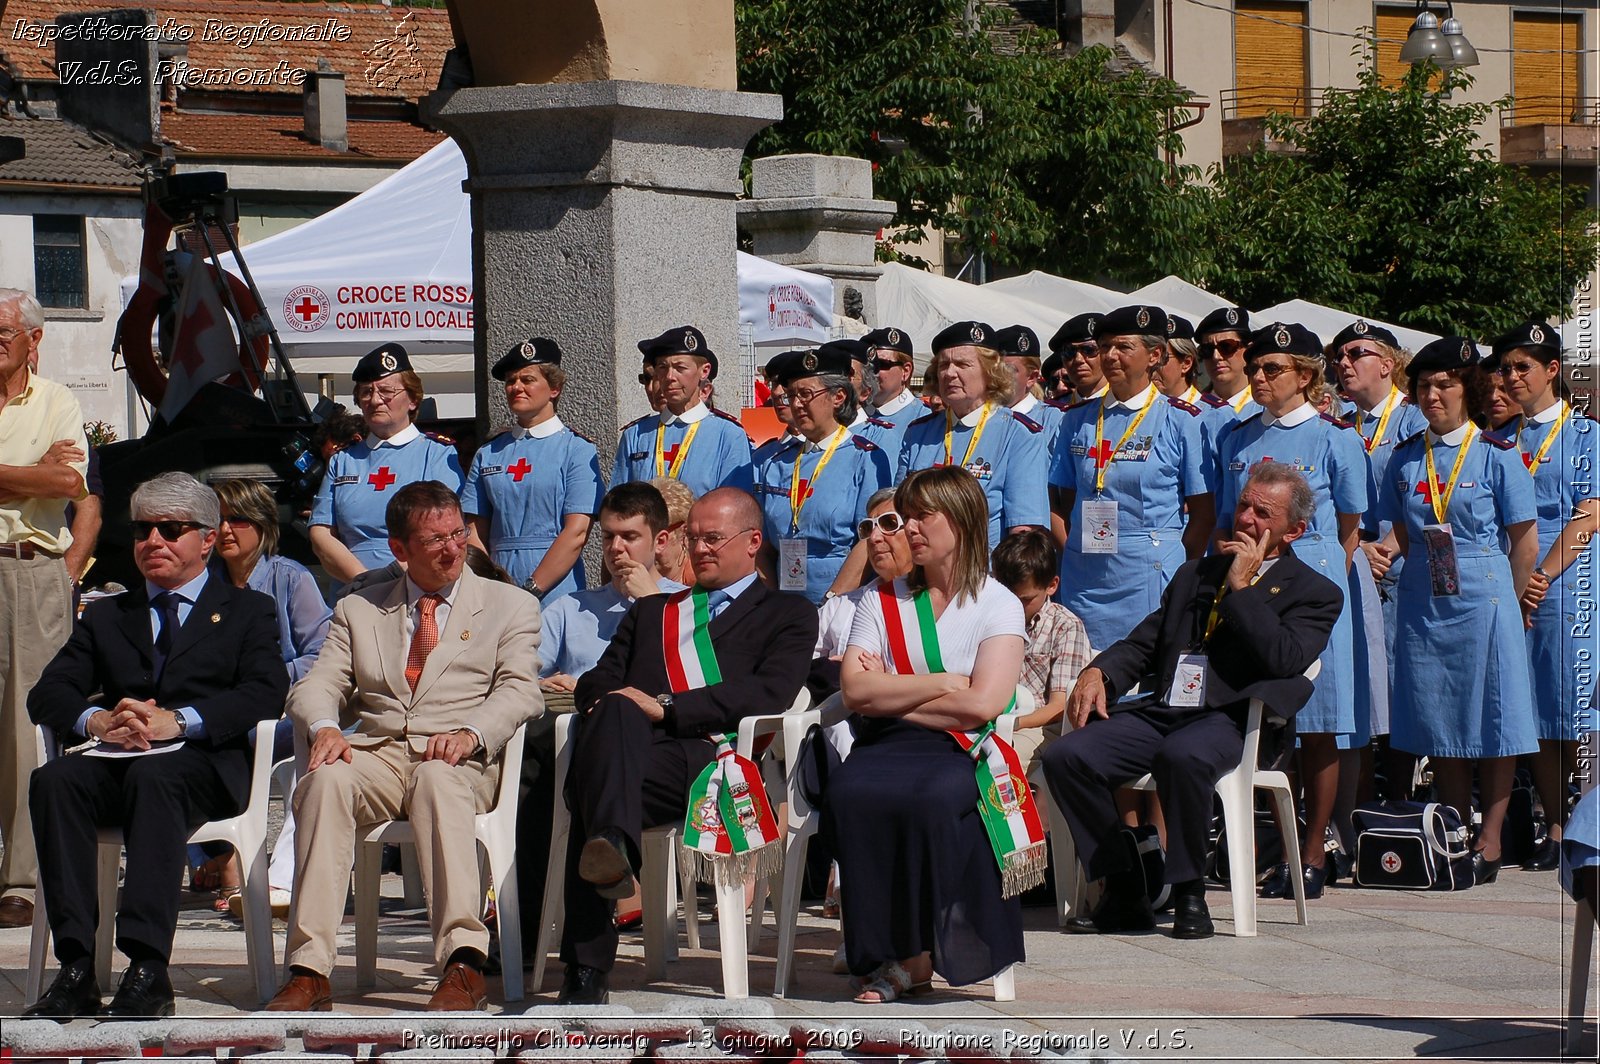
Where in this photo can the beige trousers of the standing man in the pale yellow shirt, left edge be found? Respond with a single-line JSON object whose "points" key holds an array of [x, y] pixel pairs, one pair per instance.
{"points": [[36, 618]]}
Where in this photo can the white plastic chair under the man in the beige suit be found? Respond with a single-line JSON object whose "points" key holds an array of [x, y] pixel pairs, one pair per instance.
{"points": [[497, 834]]}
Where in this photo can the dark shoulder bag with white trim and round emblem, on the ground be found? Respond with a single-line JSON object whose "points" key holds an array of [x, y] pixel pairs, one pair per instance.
{"points": [[1412, 846]]}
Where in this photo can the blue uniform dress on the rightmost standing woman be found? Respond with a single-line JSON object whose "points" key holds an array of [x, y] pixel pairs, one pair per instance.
{"points": [[1562, 646]]}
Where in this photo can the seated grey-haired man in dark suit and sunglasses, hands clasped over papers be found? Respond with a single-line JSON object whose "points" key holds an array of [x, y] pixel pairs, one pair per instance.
{"points": [[177, 674]]}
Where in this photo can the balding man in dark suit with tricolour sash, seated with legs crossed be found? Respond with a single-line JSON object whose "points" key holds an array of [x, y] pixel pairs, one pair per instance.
{"points": [[642, 740]]}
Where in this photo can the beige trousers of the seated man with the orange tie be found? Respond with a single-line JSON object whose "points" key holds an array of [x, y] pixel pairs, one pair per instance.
{"points": [[388, 783]]}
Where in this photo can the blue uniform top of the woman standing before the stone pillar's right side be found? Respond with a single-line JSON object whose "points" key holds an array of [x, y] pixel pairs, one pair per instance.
{"points": [[719, 454]]}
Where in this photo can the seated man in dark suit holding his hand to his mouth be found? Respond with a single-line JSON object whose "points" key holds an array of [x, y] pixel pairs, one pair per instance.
{"points": [[1236, 626]]}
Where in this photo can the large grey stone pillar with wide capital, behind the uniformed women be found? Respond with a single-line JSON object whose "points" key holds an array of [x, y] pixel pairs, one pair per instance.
{"points": [[602, 214]]}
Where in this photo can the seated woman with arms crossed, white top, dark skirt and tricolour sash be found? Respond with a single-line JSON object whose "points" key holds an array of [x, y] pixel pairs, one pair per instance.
{"points": [[930, 876]]}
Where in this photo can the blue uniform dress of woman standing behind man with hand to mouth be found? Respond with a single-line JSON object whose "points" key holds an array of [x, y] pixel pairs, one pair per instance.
{"points": [[1332, 460]]}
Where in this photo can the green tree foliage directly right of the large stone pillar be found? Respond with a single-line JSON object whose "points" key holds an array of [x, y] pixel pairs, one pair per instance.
{"points": [[1041, 162]]}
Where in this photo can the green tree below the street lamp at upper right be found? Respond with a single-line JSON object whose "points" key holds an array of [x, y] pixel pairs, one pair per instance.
{"points": [[1394, 209]]}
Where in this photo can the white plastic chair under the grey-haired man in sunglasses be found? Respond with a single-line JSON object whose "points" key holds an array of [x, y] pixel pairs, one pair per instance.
{"points": [[246, 833]]}
